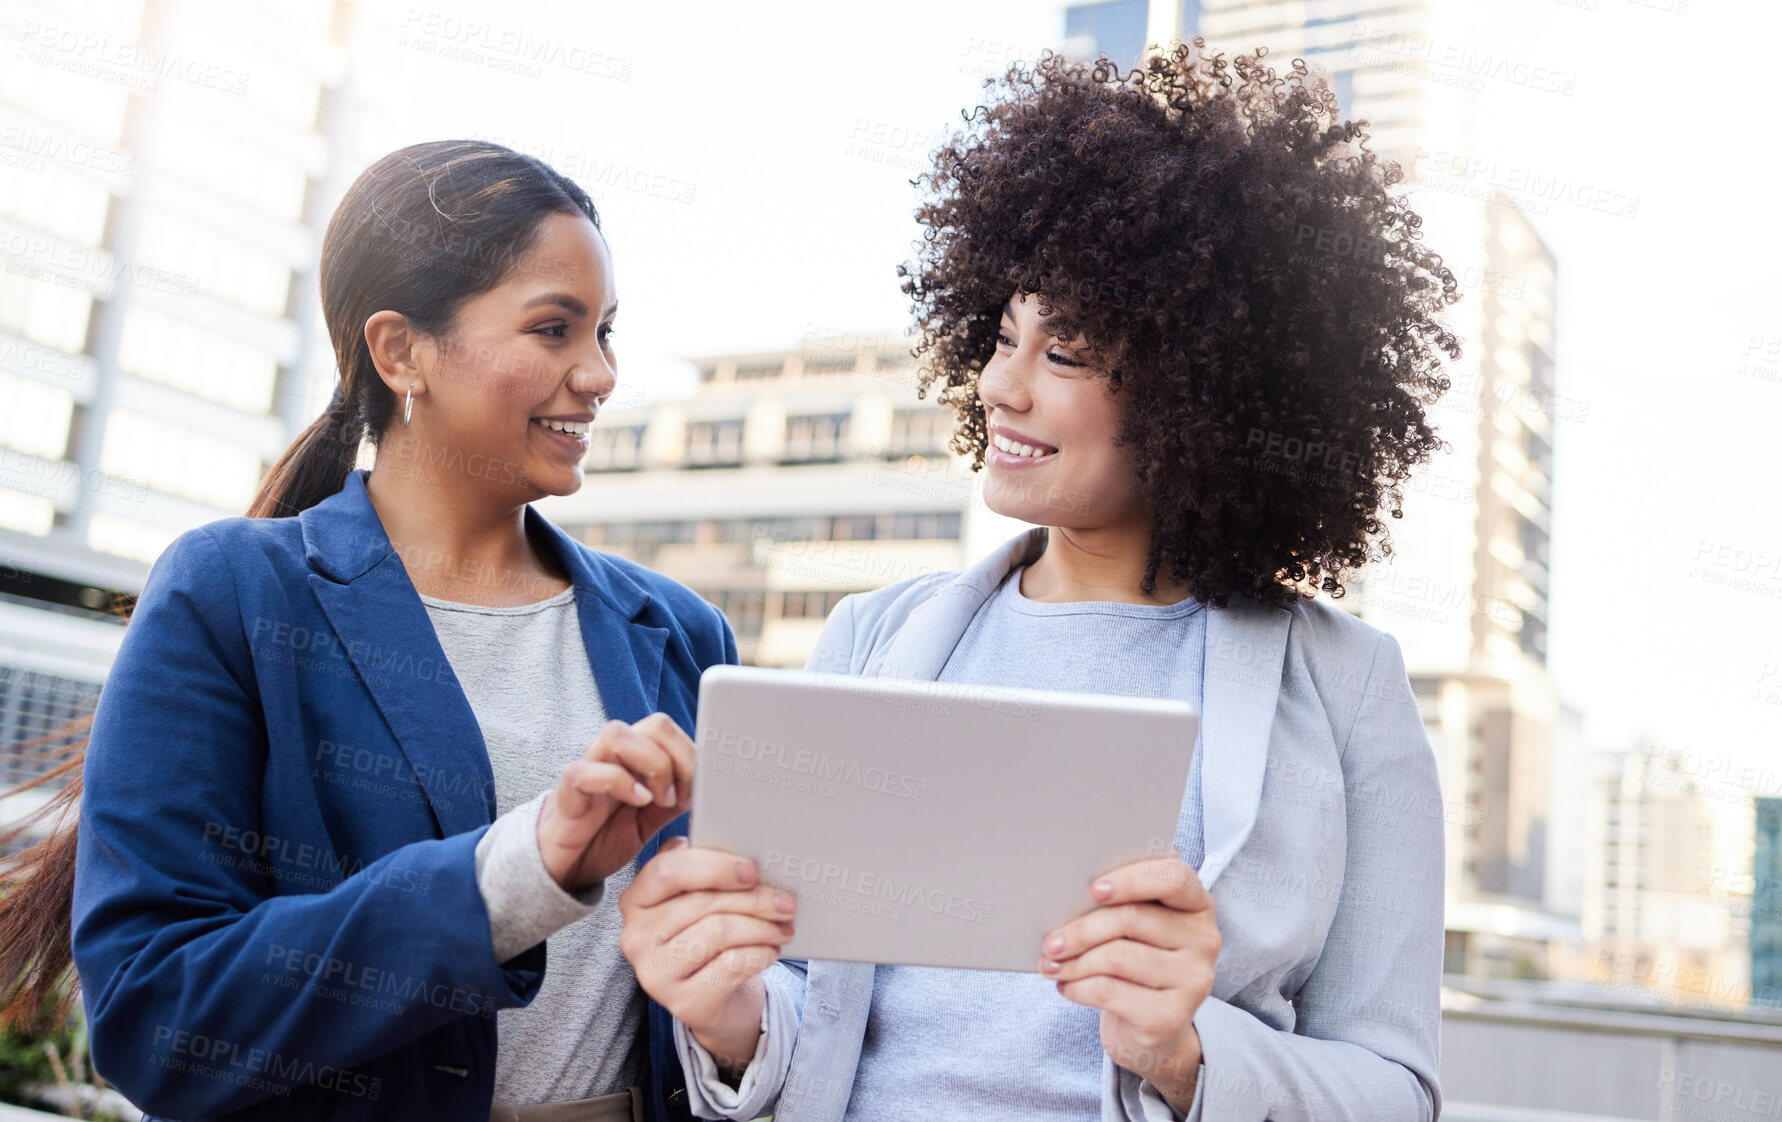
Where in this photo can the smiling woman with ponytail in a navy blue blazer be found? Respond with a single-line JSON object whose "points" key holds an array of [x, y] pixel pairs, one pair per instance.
{"points": [[341, 786]]}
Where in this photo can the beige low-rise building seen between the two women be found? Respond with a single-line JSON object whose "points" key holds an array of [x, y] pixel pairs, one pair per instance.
{"points": [[785, 482]]}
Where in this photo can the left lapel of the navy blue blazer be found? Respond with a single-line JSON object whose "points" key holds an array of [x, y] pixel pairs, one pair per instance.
{"points": [[384, 626]]}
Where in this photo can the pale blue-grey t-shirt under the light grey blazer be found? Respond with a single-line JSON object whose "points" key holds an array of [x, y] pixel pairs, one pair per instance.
{"points": [[1006, 1046]]}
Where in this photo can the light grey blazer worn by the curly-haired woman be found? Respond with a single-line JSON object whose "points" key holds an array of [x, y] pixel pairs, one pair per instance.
{"points": [[1323, 840]]}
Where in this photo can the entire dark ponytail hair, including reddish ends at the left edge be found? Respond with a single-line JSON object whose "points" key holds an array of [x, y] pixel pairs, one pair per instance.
{"points": [[420, 232]]}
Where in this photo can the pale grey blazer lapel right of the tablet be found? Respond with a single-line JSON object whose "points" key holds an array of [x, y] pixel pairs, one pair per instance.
{"points": [[1247, 646]]}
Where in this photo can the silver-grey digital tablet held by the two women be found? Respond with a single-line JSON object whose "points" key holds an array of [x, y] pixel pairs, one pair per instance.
{"points": [[931, 824]]}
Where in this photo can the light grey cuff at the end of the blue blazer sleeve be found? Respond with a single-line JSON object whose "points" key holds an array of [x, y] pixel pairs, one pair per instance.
{"points": [[525, 902]]}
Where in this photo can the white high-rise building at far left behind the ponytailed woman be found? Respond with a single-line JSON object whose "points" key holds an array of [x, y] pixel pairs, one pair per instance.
{"points": [[167, 168]]}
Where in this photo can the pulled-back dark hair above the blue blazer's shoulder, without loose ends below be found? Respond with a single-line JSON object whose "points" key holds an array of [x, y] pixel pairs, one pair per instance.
{"points": [[420, 232]]}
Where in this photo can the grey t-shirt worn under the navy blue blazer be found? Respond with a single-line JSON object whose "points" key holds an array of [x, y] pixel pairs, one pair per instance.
{"points": [[527, 676]]}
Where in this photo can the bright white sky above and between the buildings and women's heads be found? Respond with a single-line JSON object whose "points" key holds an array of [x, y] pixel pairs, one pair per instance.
{"points": [[780, 138]]}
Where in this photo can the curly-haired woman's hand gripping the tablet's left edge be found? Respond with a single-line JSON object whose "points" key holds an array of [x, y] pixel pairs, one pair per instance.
{"points": [[699, 927]]}
